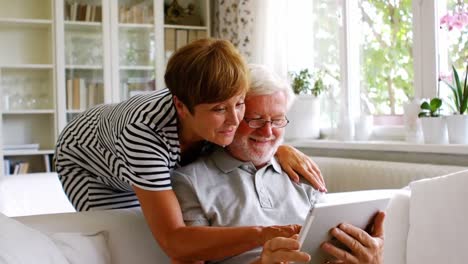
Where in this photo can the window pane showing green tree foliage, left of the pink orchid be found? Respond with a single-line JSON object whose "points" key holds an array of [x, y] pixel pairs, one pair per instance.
{"points": [[386, 44]]}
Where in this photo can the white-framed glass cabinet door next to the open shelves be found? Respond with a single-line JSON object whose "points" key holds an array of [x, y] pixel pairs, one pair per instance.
{"points": [[83, 56]]}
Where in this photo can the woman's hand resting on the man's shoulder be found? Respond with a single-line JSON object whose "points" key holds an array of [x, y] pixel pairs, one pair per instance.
{"points": [[296, 163]]}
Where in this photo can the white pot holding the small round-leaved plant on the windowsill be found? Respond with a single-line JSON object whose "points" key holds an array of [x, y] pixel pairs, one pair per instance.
{"points": [[434, 130]]}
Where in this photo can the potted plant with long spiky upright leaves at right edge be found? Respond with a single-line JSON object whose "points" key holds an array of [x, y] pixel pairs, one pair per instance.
{"points": [[458, 122]]}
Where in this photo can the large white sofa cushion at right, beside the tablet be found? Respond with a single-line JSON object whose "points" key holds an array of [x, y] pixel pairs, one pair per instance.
{"points": [[438, 218]]}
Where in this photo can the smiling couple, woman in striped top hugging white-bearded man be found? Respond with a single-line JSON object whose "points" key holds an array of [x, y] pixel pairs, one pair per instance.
{"points": [[234, 204]]}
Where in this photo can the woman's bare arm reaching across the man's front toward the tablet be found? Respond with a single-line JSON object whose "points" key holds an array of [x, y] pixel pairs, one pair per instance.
{"points": [[163, 215]]}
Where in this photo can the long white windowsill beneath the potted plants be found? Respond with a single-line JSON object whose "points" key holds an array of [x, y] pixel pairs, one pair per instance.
{"points": [[389, 146]]}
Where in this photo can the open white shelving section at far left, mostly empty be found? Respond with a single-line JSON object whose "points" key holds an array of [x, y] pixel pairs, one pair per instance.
{"points": [[27, 81]]}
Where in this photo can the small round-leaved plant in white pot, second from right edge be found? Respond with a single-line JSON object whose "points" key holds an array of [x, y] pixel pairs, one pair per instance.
{"points": [[433, 125]]}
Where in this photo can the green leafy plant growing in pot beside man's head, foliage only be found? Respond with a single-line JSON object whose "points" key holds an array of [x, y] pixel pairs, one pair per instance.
{"points": [[301, 82]]}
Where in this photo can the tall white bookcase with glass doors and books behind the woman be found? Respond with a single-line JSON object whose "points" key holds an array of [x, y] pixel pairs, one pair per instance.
{"points": [[59, 57]]}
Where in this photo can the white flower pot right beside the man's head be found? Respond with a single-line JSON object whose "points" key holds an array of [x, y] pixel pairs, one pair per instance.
{"points": [[304, 118]]}
